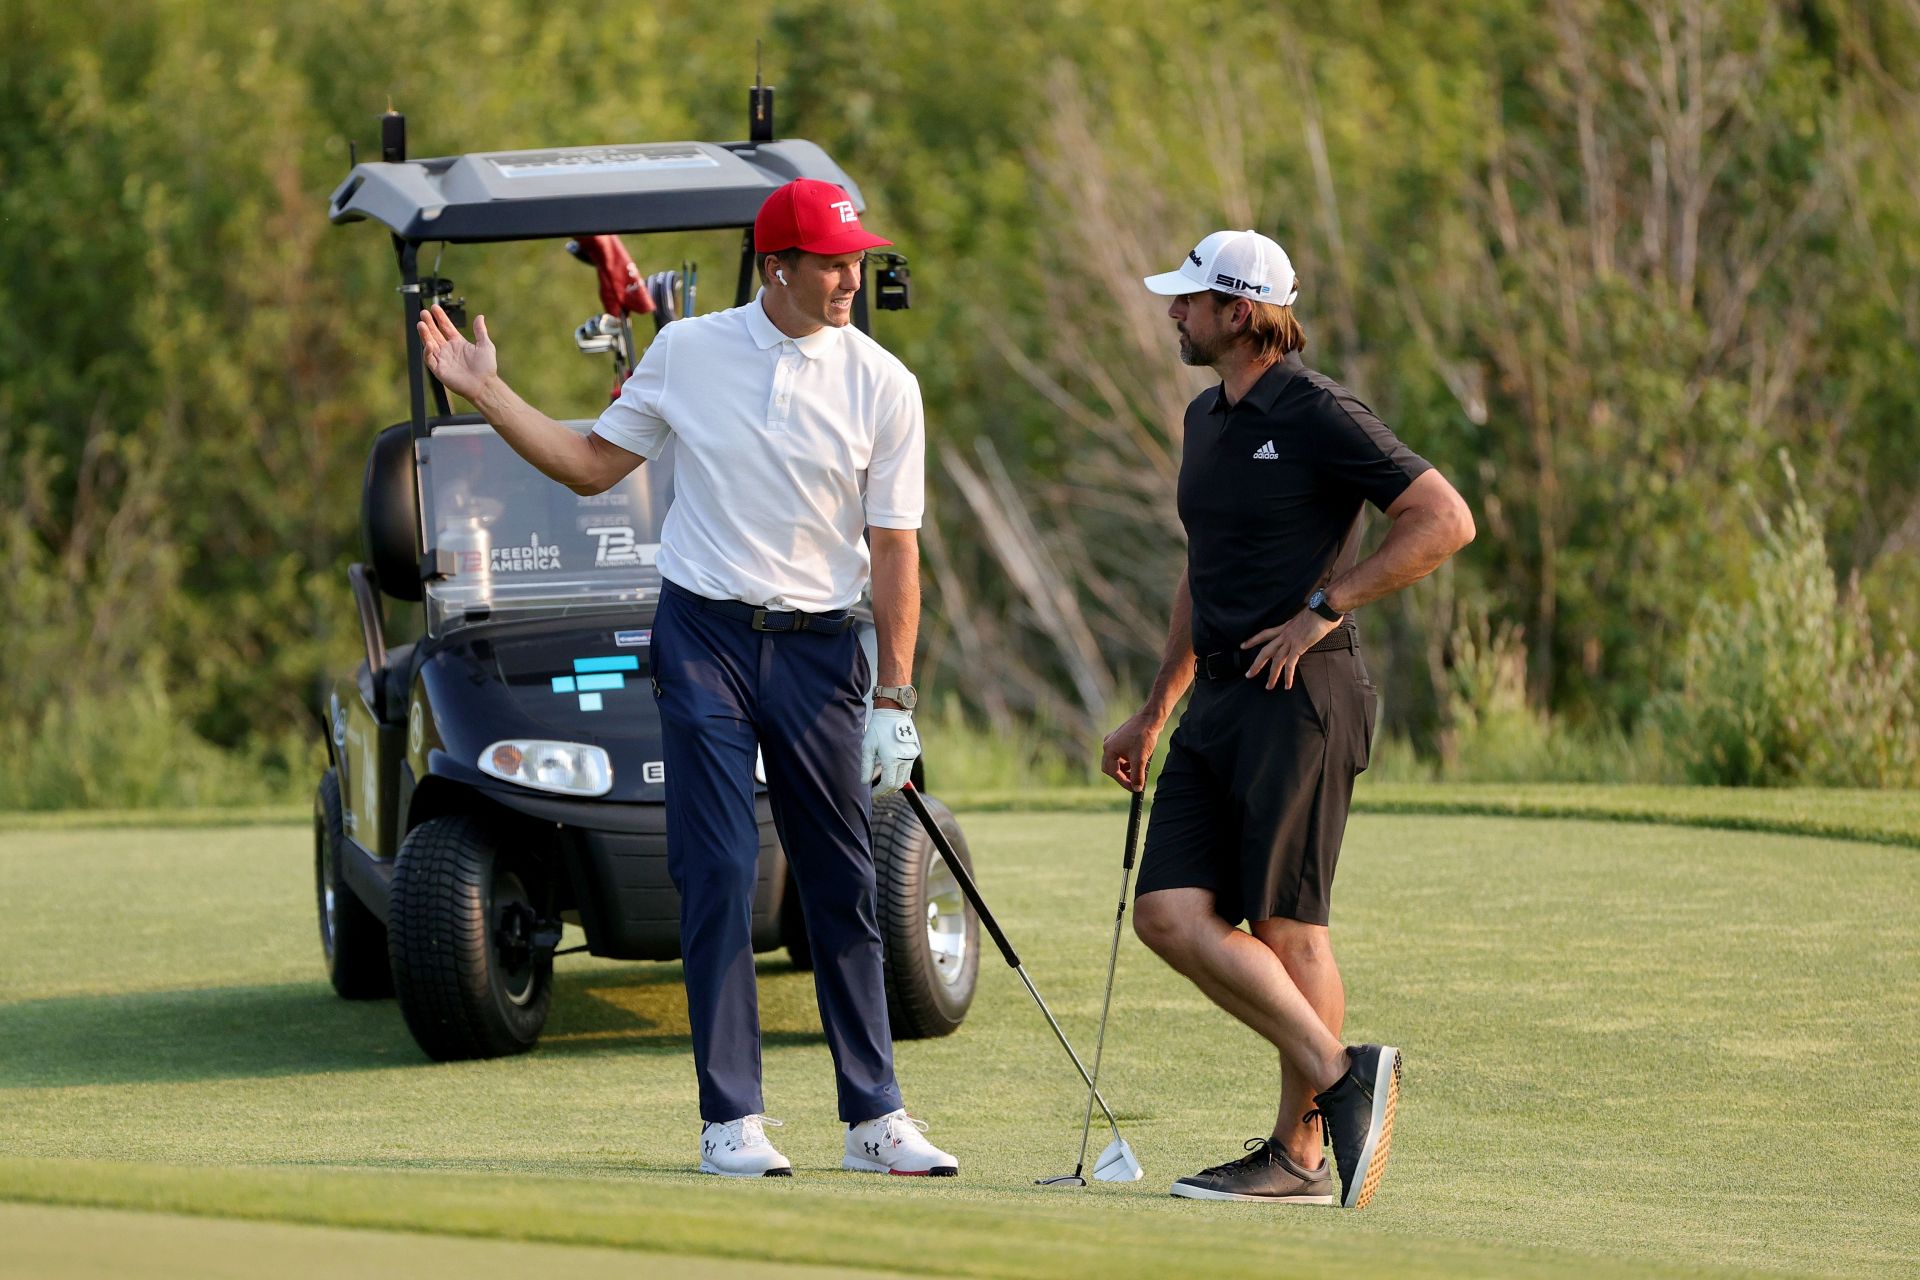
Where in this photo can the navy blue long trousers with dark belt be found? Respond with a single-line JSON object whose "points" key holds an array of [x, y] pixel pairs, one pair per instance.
{"points": [[800, 696]]}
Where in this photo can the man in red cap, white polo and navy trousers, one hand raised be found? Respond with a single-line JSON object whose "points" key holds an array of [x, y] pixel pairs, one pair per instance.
{"points": [[800, 439]]}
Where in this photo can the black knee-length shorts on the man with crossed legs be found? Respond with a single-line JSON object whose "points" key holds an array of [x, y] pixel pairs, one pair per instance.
{"points": [[1253, 797]]}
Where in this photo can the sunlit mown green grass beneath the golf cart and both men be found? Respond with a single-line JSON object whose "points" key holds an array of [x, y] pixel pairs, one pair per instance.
{"points": [[1631, 1051]]}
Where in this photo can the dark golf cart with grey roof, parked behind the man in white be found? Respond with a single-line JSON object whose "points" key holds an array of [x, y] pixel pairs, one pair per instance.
{"points": [[502, 776]]}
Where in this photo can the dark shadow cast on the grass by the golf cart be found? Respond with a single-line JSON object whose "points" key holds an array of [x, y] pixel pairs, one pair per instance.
{"points": [[299, 1030]]}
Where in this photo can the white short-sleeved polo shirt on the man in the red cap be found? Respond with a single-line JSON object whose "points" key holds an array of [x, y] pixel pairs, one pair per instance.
{"points": [[788, 448]]}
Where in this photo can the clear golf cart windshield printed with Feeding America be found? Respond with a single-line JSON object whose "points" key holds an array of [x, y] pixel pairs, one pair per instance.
{"points": [[519, 546]]}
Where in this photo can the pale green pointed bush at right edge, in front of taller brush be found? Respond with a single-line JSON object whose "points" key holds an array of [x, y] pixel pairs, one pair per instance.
{"points": [[1790, 686]]}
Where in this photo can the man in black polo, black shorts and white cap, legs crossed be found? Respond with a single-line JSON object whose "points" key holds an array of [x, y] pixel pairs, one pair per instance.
{"points": [[1253, 797]]}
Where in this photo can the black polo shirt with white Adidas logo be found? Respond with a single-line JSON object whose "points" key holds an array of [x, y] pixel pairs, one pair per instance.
{"points": [[1270, 496]]}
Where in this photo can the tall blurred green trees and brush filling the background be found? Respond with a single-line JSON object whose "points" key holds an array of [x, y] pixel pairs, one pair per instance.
{"points": [[1596, 262]]}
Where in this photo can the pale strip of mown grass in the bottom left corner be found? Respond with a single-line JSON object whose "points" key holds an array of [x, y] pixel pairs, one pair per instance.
{"points": [[82, 1244]]}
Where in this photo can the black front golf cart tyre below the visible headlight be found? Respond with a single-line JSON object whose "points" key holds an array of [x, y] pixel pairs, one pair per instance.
{"points": [[462, 924]]}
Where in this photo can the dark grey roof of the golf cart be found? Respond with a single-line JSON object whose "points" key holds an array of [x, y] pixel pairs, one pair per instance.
{"points": [[579, 191]]}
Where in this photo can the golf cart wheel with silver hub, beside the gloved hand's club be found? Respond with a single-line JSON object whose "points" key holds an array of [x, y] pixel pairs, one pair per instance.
{"points": [[930, 932]]}
